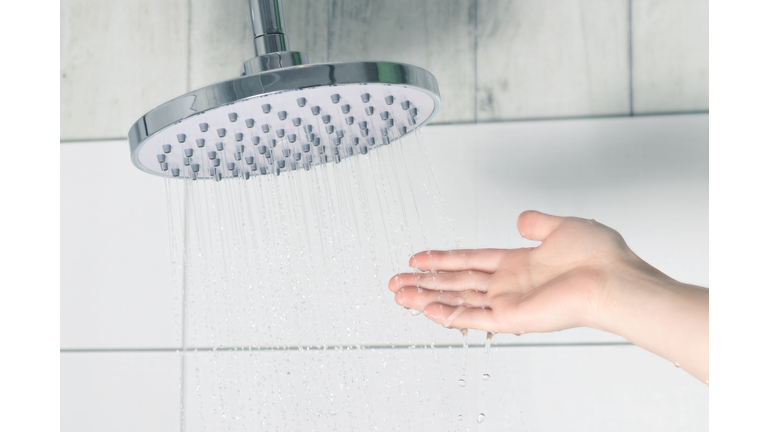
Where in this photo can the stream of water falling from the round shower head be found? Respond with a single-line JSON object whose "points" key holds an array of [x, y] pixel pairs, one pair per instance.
{"points": [[283, 282]]}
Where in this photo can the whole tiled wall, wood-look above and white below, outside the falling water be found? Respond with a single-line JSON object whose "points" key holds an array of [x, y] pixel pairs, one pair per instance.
{"points": [[496, 61]]}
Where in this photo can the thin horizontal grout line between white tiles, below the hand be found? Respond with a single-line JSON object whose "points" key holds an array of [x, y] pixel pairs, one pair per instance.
{"points": [[342, 347]]}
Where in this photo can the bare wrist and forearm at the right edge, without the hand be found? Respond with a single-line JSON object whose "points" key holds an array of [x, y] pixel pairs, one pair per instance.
{"points": [[657, 313]]}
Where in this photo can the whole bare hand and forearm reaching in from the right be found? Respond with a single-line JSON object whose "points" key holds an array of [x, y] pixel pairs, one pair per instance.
{"points": [[583, 274]]}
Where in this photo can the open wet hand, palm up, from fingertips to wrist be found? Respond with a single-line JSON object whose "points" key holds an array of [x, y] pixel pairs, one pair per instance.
{"points": [[557, 285]]}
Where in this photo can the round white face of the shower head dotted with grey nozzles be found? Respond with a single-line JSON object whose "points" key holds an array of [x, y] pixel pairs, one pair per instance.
{"points": [[331, 119]]}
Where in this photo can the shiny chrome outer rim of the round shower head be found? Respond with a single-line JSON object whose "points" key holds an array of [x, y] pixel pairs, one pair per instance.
{"points": [[279, 80]]}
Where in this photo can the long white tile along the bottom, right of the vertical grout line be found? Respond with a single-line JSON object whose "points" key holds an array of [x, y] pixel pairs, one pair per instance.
{"points": [[549, 388]]}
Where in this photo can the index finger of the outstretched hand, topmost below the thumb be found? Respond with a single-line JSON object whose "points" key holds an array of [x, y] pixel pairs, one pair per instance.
{"points": [[484, 260]]}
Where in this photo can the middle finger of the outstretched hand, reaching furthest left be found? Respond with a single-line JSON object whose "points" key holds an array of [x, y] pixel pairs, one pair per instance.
{"points": [[450, 281]]}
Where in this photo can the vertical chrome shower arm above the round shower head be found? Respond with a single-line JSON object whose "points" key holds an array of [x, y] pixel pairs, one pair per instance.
{"points": [[270, 43]]}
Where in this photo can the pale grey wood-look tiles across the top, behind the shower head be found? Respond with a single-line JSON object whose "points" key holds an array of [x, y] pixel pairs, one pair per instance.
{"points": [[495, 60]]}
